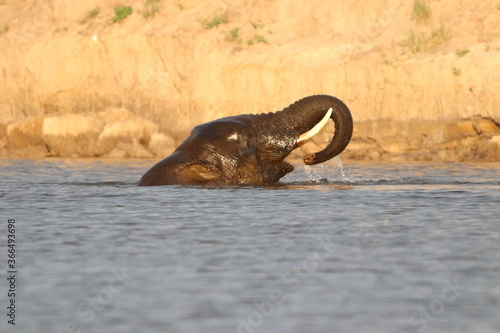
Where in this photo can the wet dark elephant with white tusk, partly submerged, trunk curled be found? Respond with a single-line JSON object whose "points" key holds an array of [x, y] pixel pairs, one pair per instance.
{"points": [[250, 149]]}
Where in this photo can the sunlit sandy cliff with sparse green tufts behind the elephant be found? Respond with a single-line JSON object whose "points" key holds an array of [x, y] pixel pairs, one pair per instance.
{"points": [[76, 82]]}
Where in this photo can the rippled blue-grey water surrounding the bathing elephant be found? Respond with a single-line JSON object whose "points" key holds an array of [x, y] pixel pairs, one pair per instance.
{"points": [[367, 248]]}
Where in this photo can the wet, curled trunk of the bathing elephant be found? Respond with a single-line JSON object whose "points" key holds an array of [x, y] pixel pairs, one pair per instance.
{"points": [[304, 114]]}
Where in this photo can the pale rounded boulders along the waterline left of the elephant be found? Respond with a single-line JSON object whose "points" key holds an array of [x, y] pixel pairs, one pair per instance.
{"points": [[114, 132]]}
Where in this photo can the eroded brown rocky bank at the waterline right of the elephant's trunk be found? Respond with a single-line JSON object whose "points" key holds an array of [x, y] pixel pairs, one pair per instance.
{"points": [[471, 139]]}
